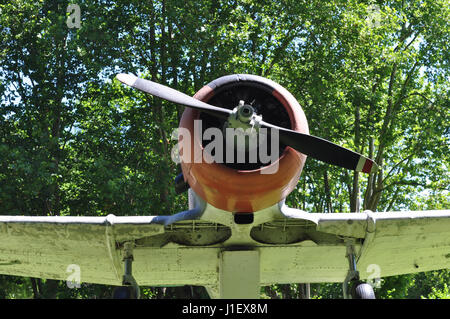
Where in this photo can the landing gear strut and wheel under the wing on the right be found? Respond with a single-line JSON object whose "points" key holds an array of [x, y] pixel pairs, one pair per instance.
{"points": [[357, 289]]}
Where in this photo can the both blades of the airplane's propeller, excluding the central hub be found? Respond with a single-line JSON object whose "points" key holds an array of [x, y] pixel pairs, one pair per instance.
{"points": [[309, 145]]}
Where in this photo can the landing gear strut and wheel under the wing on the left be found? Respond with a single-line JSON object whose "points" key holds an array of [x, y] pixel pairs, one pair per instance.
{"points": [[129, 288]]}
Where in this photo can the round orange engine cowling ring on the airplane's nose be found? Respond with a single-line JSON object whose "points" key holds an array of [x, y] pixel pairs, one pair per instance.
{"points": [[243, 187]]}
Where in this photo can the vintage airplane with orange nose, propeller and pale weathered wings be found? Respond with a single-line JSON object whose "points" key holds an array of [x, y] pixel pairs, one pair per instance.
{"points": [[238, 234]]}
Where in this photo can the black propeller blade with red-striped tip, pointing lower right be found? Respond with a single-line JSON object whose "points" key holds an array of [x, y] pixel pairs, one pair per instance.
{"points": [[324, 150]]}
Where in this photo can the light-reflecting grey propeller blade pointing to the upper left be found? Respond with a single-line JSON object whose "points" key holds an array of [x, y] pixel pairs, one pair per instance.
{"points": [[171, 95]]}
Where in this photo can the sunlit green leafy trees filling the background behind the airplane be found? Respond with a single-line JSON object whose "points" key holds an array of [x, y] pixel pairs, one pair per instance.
{"points": [[73, 141]]}
